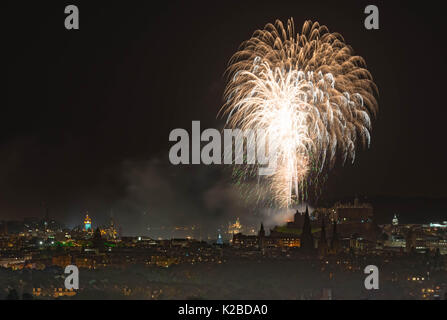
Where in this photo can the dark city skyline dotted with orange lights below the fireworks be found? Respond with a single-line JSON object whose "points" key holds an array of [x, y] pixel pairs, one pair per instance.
{"points": [[330, 245]]}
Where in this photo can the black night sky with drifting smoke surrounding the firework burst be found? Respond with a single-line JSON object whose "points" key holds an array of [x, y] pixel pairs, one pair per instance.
{"points": [[89, 111]]}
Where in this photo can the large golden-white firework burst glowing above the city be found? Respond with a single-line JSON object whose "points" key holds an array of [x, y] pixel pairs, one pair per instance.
{"points": [[309, 94]]}
